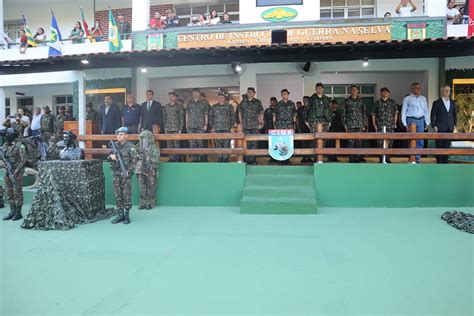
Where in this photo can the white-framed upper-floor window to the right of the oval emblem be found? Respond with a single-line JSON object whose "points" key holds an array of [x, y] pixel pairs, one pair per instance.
{"points": [[347, 9]]}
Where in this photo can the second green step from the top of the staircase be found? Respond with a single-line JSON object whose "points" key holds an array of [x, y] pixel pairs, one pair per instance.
{"points": [[279, 181]]}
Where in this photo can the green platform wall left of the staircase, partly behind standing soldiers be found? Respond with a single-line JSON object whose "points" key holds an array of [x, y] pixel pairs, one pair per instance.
{"points": [[191, 184]]}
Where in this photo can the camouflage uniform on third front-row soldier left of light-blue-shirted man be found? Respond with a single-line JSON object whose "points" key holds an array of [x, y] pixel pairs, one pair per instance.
{"points": [[317, 111]]}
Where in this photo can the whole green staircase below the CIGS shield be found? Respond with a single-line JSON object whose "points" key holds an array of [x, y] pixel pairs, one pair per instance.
{"points": [[279, 190]]}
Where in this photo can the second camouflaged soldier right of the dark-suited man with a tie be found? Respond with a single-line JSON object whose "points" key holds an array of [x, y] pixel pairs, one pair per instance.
{"points": [[197, 113]]}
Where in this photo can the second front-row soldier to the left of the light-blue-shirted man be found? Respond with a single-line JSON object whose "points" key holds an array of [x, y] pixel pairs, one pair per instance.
{"points": [[355, 119]]}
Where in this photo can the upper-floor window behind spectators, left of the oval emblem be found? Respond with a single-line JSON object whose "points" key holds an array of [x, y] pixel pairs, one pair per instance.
{"points": [[186, 13]]}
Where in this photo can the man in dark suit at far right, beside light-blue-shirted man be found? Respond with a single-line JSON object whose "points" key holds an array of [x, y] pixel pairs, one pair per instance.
{"points": [[444, 120]]}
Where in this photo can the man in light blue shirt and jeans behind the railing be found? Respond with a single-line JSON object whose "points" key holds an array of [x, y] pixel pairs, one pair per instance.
{"points": [[415, 111]]}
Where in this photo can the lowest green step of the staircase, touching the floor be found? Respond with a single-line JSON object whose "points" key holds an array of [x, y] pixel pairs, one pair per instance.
{"points": [[279, 206]]}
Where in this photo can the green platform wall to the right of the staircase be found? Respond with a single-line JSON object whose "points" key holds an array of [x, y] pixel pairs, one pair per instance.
{"points": [[394, 185]]}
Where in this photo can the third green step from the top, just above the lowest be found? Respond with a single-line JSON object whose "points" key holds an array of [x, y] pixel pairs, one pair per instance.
{"points": [[281, 192]]}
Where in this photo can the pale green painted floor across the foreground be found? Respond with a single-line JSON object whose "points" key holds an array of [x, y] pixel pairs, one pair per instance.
{"points": [[197, 260]]}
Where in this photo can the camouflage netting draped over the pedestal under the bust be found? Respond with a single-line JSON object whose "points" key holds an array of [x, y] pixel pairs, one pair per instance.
{"points": [[71, 192]]}
